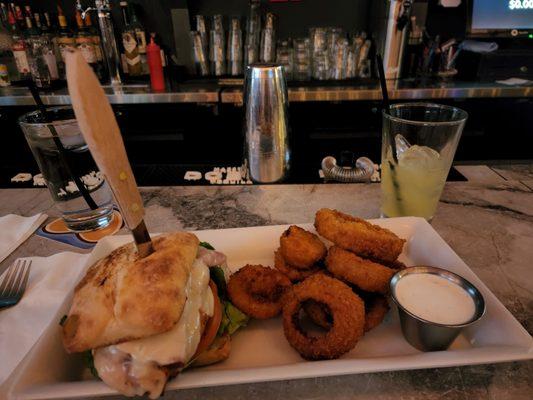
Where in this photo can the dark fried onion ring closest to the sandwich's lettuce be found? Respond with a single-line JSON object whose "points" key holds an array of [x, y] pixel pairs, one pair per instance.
{"points": [[257, 290]]}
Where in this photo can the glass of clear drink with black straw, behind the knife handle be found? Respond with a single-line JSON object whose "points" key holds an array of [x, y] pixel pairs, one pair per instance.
{"points": [[61, 169]]}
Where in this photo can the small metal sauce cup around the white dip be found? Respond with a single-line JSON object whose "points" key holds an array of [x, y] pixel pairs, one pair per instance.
{"points": [[427, 335]]}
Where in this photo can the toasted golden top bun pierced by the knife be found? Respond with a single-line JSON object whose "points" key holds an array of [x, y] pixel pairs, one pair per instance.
{"points": [[122, 297]]}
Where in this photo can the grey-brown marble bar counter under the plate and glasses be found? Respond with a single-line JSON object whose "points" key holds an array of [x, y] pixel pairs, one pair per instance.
{"points": [[488, 221]]}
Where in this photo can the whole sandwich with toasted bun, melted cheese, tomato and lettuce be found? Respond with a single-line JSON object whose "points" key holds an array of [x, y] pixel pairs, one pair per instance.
{"points": [[141, 321]]}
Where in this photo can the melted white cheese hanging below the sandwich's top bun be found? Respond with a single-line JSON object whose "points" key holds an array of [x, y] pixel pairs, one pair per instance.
{"points": [[133, 367]]}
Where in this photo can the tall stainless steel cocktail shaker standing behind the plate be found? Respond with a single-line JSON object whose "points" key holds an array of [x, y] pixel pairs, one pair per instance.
{"points": [[266, 126]]}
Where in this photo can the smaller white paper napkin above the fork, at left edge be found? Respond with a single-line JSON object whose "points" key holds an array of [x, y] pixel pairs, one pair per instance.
{"points": [[14, 230]]}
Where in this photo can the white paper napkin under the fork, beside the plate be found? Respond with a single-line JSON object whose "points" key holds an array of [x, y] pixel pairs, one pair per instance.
{"points": [[51, 279]]}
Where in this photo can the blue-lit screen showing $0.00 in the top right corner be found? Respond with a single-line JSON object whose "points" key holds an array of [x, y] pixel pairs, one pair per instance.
{"points": [[502, 14]]}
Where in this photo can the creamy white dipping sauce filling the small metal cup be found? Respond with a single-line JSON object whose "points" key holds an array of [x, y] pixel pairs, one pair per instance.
{"points": [[435, 299]]}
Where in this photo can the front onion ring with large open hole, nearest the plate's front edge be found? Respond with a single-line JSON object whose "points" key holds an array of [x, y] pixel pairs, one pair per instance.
{"points": [[347, 311]]}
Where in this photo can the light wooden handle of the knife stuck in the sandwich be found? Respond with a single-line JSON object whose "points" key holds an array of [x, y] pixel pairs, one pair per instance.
{"points": [[101, 132]]}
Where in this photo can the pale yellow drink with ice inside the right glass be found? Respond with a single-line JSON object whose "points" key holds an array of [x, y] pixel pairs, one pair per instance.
{"points": [[414, 185]]}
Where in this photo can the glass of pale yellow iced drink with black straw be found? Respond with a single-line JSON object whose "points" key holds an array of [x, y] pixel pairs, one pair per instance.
{"points": [[419, 143]]}
